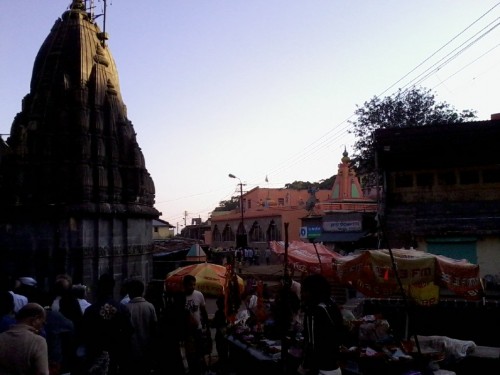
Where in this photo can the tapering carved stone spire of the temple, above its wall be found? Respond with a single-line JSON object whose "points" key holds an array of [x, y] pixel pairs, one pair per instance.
{"points": [[72, 142]]}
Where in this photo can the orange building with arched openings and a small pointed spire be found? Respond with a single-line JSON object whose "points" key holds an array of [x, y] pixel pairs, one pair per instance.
{"points": [[340, 217]]}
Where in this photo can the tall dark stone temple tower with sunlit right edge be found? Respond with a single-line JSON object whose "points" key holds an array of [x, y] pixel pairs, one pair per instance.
{"points": [[75, 195]]}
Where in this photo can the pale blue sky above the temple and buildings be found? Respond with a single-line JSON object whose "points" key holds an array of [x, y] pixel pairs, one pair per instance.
{"points": [[263, 87]]}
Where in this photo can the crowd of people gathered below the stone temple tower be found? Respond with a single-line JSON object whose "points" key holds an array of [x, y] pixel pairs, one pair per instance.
{"points": [[62, 332]]}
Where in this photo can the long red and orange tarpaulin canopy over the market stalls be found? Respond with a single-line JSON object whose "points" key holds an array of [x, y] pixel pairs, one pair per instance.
{"points": [[371, 271]]}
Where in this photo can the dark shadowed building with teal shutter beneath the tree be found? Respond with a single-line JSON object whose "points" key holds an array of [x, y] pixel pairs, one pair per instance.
{"points": [[442, 190]]}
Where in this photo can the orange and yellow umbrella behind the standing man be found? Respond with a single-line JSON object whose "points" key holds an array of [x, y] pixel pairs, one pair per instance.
{"points": [[210, 278]]}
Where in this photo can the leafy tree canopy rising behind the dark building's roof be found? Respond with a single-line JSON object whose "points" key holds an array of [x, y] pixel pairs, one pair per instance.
{"points": [[407, 108]]}
